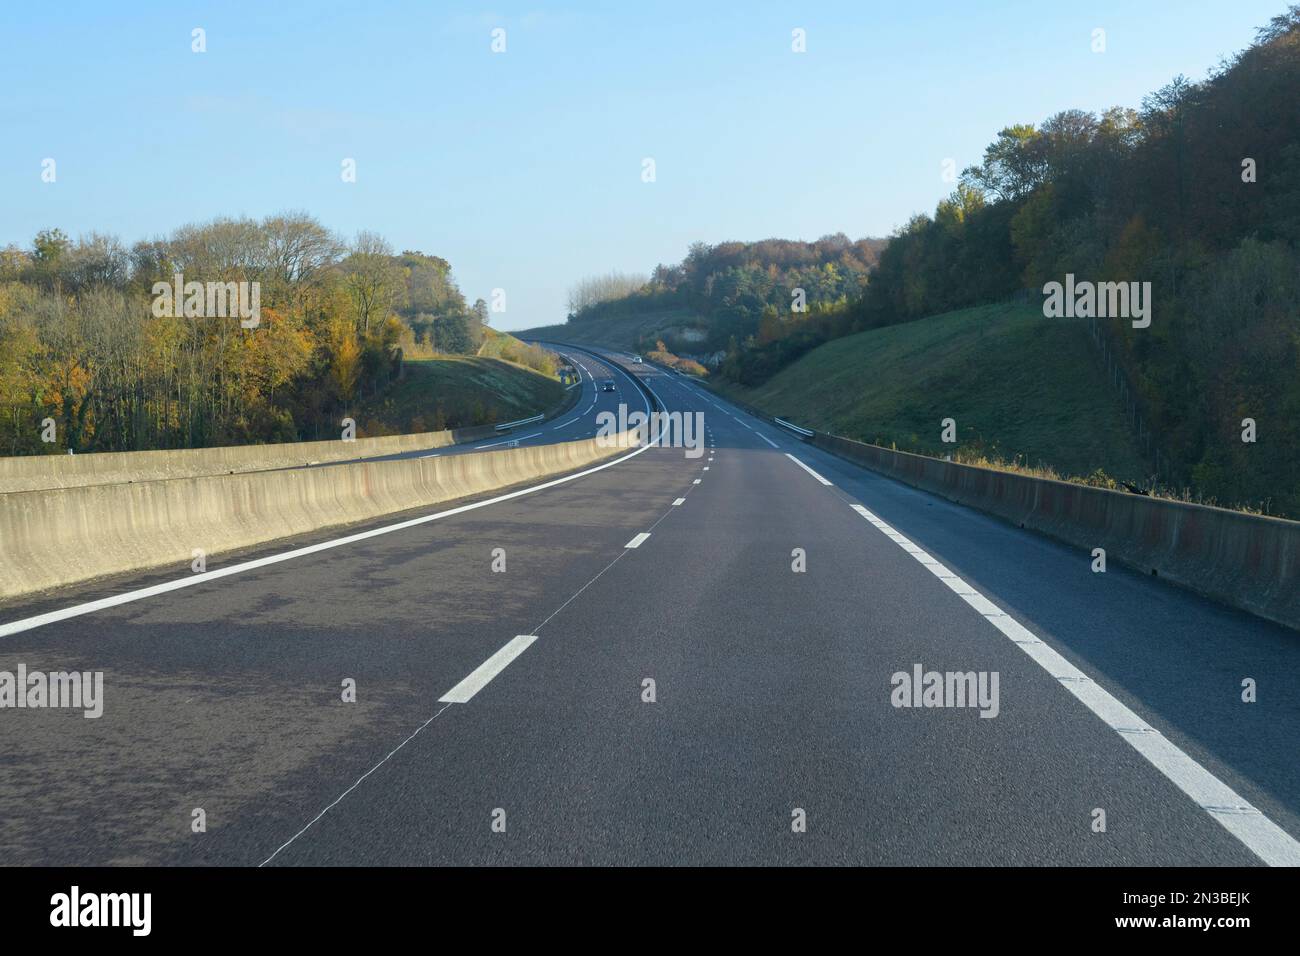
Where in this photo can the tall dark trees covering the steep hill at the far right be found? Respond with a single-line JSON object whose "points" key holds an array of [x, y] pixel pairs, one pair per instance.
{"points": [[1199, 194]]}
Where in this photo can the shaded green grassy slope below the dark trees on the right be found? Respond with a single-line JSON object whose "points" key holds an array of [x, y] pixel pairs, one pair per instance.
{"points": [[1021, 388]]}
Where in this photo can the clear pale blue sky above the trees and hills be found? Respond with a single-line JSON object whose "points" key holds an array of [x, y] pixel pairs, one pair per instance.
{"points": [[525, 168]]}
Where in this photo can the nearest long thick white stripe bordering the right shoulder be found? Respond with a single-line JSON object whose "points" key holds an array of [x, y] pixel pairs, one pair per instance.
{"points": [[1264, 838]]}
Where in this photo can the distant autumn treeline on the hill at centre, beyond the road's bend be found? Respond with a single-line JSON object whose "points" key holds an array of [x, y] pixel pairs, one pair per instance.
{"points": [[733, 293]]}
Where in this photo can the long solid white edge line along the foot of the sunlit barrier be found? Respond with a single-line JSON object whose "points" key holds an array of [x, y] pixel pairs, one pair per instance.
{"points": [[131, 596]]}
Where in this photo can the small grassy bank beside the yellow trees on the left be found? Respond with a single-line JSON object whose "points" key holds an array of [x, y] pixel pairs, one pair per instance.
{"points": [[458, 392]]}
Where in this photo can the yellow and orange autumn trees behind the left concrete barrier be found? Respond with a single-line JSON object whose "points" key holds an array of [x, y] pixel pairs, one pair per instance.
{"points": [[83, 347]]}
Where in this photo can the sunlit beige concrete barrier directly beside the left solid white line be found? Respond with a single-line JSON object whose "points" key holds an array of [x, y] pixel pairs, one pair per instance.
{"points": [[64, 535]]}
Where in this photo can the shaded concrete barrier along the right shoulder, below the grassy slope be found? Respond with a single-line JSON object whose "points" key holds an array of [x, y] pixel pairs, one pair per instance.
{"points": [[1246, 561]]}
